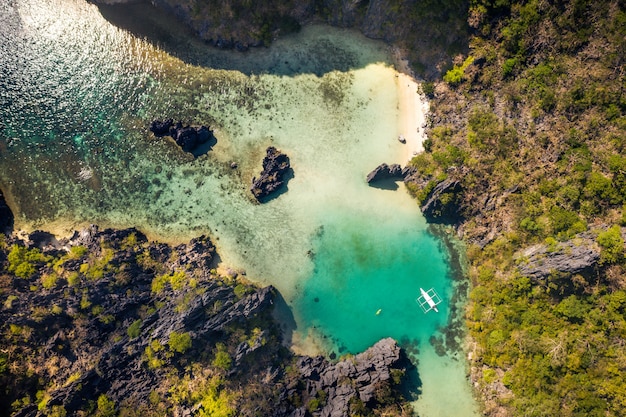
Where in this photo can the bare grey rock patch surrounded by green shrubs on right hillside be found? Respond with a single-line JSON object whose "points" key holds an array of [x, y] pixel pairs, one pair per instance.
{"points": [[572, 257]]}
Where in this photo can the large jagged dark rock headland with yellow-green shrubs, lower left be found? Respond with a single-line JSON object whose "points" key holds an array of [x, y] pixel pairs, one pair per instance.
{"points": [[108, 317]]}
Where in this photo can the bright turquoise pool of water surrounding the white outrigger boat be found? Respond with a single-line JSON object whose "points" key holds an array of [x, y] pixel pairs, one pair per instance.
{"points": [[365, 268]]}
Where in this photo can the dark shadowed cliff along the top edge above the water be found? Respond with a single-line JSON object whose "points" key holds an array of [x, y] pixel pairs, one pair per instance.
{"points": [[410, 25]]}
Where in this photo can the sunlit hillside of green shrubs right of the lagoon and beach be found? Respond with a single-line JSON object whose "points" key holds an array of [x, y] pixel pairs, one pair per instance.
{"points": [[540, 139]]}
